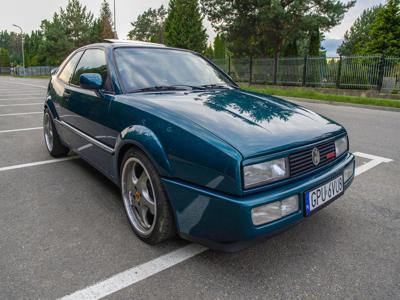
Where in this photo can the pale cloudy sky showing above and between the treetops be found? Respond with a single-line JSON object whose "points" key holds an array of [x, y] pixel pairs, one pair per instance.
{"points": [[29, 13]]}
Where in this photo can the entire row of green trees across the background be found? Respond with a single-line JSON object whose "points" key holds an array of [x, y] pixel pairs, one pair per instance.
{"points": [[251, 28]]}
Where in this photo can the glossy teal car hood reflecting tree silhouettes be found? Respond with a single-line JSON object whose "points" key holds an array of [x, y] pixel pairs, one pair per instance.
{"points": [[252, 123]]}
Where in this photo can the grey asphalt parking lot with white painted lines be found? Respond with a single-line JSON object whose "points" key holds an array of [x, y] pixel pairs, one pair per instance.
{"points": [[63, 230]]}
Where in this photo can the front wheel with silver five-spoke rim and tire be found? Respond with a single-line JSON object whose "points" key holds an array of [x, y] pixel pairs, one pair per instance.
{"points": [[145, 201]]}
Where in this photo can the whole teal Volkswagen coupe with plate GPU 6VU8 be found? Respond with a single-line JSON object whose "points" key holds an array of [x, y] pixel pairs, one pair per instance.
{"points": [[192, 153]]}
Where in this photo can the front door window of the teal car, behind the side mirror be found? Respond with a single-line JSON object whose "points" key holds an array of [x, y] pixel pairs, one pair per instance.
{"points": [[93, 61]]}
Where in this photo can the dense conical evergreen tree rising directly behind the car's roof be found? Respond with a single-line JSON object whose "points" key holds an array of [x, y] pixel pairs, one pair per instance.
{"points": [[184, 26]]}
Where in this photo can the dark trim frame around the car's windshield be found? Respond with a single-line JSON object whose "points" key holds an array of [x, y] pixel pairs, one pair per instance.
{"points": [[232, 84]]}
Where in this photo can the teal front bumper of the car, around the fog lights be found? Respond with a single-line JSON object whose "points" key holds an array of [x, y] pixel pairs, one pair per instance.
{"points": [[224, 222]]}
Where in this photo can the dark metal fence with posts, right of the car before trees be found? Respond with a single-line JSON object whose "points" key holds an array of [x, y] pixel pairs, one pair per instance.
{"points": [[355, 72]]}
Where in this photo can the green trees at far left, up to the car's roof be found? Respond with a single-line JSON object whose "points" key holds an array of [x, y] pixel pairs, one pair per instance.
{"points": [[69, 29]]}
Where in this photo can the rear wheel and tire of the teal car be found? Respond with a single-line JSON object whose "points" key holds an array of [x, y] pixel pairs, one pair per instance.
{"points": [[51, 138]]}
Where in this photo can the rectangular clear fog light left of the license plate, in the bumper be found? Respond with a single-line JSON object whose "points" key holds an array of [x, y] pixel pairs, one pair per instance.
{"points": [[275, 210]]}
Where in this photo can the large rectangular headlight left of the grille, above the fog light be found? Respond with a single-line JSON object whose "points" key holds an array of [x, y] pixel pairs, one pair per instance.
{"points": [[265, 172]]}
